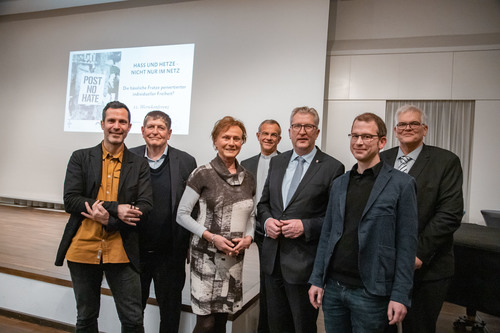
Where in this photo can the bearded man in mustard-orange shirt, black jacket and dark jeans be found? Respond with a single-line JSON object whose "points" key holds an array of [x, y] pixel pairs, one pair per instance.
{"points": [[107, 191]]}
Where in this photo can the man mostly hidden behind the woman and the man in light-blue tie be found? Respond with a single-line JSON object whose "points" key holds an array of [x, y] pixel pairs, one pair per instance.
{"points": [[269, 135]]}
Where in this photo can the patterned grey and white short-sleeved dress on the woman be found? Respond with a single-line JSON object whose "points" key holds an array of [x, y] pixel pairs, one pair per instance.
{"points": [[226, 209]]}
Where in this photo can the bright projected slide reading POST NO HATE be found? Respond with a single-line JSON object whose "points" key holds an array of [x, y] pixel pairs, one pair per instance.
{"points": [[144, 78]]}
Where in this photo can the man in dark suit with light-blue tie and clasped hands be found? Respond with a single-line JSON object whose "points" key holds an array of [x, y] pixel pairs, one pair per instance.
{"points": [[291, 213]]}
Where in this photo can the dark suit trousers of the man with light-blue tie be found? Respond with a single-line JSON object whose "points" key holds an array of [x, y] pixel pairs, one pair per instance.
{"points": [[289, 309]]}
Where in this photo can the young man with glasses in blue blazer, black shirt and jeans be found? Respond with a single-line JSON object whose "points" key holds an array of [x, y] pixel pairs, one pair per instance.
{"points": [[363, 272]]}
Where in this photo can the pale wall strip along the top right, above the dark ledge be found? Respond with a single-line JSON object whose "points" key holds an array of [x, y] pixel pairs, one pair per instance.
{"points": [[382, 19]]}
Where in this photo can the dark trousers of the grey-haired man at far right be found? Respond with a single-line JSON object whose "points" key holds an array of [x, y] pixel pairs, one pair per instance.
{"points": [[427, 300]]}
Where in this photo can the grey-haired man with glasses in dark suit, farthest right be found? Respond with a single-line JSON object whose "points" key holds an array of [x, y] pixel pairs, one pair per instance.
{"points": [[438, 174]]}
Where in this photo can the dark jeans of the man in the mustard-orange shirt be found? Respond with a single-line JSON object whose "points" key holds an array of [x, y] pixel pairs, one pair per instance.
{"points": [[125, 286]]}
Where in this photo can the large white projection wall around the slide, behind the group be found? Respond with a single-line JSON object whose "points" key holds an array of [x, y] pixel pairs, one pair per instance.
{"points": [[253, 60]]}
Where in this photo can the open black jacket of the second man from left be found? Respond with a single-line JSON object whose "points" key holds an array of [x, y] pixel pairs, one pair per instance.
{"points": [[181, 165]]}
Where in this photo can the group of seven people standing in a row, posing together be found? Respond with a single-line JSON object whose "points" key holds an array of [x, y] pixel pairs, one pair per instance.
{"points": [[372, 246]]}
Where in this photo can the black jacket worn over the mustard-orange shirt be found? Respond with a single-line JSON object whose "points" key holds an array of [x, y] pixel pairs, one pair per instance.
{"points": [[83, 179]]}
